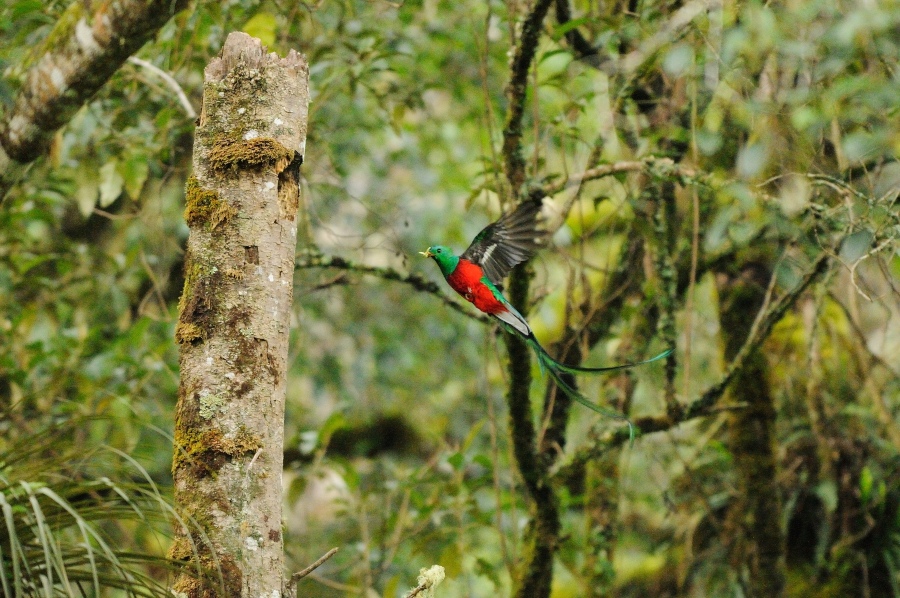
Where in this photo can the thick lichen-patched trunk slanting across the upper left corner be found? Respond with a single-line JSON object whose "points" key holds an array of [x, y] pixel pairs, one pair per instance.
{"points": [[89, 43]]}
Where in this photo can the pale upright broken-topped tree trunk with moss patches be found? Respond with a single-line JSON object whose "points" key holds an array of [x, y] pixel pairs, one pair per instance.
{"points": [[241, 205]]}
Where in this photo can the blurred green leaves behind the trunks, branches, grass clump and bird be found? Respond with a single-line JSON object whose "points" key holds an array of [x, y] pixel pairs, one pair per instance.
{"points": [[398, 447]]}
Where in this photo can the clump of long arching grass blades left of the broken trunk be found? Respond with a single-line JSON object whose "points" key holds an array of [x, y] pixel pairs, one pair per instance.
{"points": [[69, 528]]}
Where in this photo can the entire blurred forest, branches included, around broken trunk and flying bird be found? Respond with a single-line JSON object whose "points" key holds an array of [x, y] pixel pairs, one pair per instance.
{"points": [[720, 178]]}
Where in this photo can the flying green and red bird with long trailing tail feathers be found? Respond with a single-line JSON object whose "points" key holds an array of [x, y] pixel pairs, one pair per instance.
{"points": [[477, 273]]}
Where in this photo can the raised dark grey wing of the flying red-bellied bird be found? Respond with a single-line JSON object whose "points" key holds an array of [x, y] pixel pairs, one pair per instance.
{"points": [[512, 239]]}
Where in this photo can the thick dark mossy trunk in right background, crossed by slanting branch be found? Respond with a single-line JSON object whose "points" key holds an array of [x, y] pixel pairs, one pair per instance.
{"points": [[754, 518]]}
